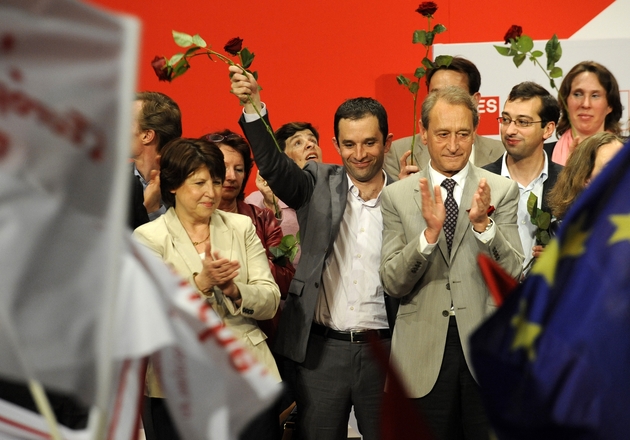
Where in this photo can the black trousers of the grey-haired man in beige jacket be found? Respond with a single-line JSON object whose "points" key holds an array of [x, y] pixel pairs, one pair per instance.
{"points": [[453, 408]]}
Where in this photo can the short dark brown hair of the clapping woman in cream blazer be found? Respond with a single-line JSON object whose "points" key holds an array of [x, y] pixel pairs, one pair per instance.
{"points": [[181, 157]]}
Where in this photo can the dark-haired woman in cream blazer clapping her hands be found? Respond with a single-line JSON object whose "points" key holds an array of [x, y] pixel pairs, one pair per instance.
{"points": [[218, 252]]}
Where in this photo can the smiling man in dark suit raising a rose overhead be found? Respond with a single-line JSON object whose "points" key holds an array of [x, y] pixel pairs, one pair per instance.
{"points": [[336, 300]]}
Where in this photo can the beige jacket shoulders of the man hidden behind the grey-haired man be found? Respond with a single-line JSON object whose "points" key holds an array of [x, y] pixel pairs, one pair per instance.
{"points": [[486, 151]]}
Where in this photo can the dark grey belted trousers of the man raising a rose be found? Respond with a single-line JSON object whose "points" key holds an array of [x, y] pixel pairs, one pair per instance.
{"points": [[335, 376]]}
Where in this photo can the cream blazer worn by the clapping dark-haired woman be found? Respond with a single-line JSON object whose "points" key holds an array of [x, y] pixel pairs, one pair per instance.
{"points": [[234, 236]]}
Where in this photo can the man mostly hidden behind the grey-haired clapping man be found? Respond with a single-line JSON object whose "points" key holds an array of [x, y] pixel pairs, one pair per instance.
{"points": [[460, 73]]}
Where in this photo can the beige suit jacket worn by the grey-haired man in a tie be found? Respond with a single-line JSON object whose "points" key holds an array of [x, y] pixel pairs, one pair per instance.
{"points": [[427, 285]]}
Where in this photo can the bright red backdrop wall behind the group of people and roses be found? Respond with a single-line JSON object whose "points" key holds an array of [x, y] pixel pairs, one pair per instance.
{"points": [[313, 55]]}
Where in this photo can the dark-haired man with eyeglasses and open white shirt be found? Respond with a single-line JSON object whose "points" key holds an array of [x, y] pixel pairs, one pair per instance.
{"points": [[528, 119]]}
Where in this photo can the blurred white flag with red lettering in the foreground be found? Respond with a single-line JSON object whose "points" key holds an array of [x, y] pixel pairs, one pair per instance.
{"points": [[81, 305]]}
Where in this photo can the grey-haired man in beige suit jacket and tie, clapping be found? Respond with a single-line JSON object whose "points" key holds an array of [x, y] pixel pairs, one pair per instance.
{"points": [[430, 245]]}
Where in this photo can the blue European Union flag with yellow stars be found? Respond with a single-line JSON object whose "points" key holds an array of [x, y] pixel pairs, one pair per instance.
{"points": [[554, 361]]}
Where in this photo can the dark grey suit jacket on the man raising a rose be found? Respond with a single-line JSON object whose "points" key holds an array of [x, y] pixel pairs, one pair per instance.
{"points": [[318, 194]]}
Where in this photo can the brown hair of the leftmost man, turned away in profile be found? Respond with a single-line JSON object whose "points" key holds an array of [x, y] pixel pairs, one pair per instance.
{"points": [[160, 114]]}
